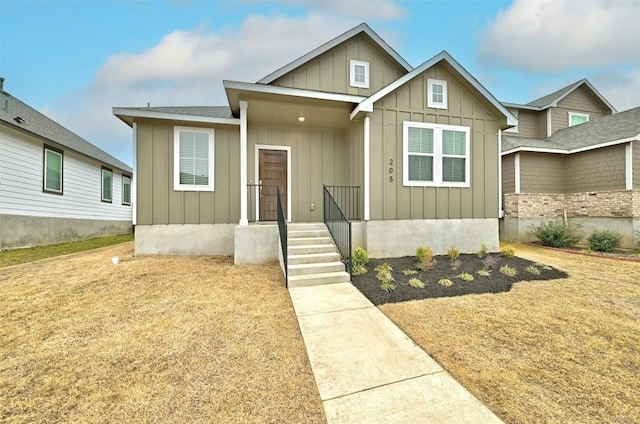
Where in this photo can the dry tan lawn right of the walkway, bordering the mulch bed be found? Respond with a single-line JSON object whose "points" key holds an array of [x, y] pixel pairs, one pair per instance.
{"points": [[562, 351]]}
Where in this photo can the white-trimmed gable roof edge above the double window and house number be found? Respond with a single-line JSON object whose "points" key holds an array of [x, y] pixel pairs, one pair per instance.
{"points": [[367, 104]]}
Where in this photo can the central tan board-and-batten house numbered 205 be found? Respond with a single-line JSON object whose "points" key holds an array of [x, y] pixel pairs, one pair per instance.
{"points": [[420, 144]]}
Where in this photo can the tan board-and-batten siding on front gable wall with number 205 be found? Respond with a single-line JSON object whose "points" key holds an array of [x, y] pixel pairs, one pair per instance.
{"points": [[390, 200]]}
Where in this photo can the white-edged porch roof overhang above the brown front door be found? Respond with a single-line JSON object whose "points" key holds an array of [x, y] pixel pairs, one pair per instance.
{"points": [[237, 91]]}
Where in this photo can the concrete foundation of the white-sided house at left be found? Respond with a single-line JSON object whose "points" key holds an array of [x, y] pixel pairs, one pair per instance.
{"points": [[24, 231]]}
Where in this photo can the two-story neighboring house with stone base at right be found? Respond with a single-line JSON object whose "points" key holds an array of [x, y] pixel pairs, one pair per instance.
{"points": [[571, 156]]}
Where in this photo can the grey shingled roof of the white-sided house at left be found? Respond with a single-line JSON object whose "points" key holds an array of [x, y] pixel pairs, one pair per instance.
{"points": [[34, 122]]}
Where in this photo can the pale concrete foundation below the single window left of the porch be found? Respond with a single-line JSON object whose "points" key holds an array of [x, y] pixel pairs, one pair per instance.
{"points": [[187, 239]]}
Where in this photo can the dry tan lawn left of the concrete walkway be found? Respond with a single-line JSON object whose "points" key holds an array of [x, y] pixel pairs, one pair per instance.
{"points": [[152, 339]]}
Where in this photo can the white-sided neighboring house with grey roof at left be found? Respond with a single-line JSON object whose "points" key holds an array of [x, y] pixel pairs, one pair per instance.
{"points": [[54, 185]]}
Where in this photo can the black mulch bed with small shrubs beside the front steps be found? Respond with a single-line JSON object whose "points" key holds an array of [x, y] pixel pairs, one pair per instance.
{"points": [[498, 282]]}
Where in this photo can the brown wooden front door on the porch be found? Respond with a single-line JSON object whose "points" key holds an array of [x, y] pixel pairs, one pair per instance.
{"points": [[273, 172]]}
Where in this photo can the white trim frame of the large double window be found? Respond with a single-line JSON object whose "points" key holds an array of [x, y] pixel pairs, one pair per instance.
{"points": [[437, 155]]}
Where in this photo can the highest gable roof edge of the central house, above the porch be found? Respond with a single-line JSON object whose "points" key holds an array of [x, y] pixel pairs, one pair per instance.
{"points": [[362, 28]]}
